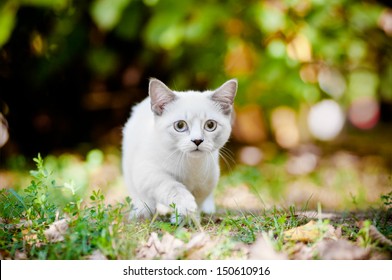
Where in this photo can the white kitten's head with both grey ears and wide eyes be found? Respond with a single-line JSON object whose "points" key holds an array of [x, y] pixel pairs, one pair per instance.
{"points": [[193, 122]]}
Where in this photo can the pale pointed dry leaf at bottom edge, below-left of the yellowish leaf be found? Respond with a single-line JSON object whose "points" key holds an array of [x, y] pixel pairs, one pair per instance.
{"points": [[262, 249]]}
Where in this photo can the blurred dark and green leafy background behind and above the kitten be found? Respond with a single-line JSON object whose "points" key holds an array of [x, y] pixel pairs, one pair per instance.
{"points": [[70, 70]]}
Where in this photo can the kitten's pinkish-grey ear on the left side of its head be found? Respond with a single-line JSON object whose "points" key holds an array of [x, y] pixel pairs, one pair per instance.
{"points": [[160, 96]]}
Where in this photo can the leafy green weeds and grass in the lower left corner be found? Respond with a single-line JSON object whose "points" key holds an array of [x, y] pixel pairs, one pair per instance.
{"points": [[27, 215]]}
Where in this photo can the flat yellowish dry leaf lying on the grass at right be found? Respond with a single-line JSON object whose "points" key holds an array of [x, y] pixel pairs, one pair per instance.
{"points": [[310, 232]]}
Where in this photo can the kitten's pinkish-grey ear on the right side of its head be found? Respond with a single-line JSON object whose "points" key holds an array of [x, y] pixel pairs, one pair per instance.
{"points": [[224, 95]]}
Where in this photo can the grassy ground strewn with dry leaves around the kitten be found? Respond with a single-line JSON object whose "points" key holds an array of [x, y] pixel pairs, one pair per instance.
{"points": [[306, 204]]}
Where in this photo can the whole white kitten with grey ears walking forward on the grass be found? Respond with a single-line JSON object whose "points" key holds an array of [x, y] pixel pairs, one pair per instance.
{"points": [[171, 148]]}
